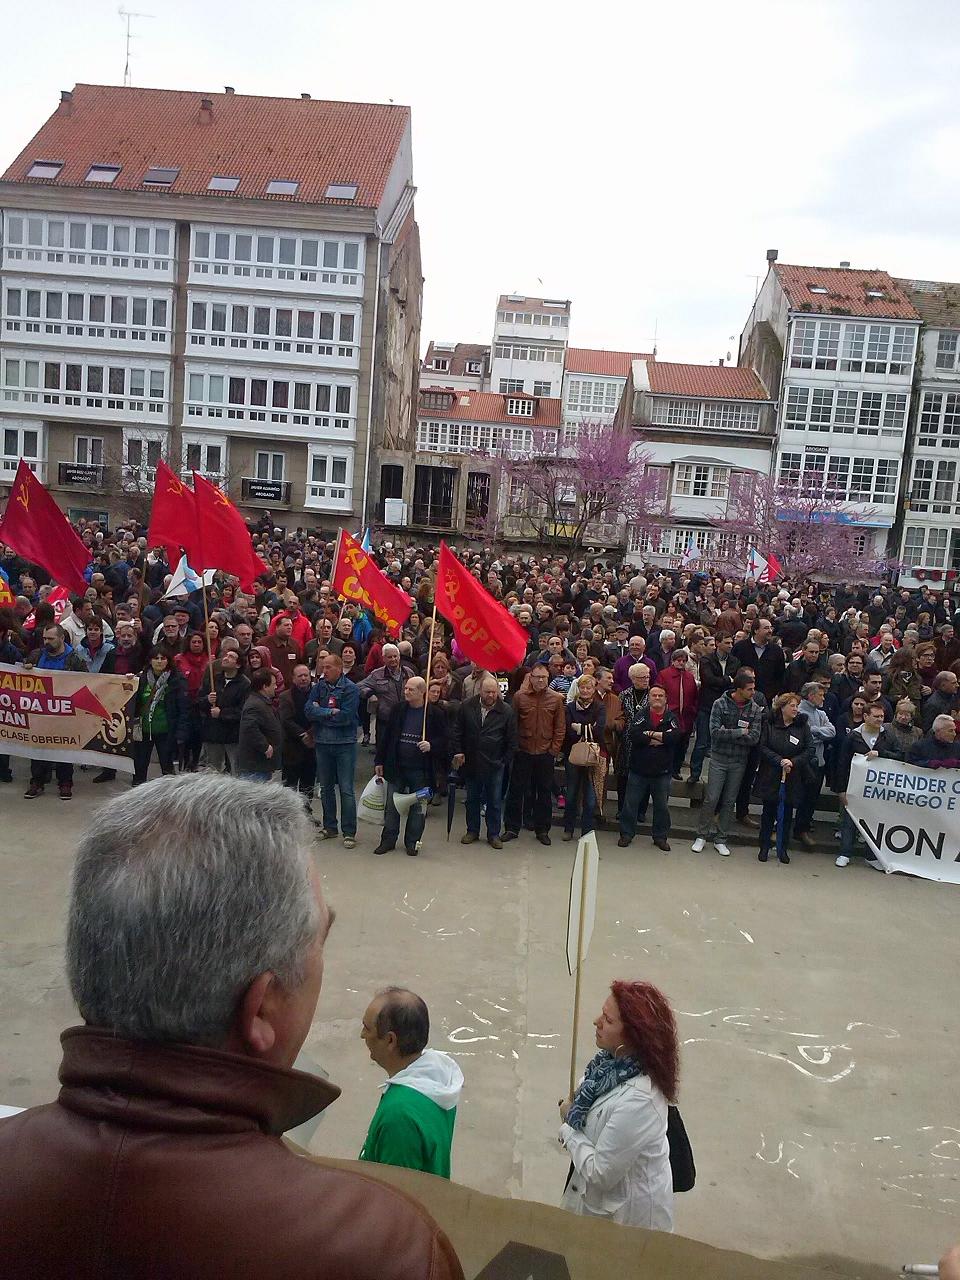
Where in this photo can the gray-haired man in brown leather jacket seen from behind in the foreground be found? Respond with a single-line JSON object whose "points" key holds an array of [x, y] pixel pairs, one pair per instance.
{"points": [[195, 953]]}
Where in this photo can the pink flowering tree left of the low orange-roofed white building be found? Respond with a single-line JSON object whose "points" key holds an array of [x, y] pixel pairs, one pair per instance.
{"points": [[561, 493]]}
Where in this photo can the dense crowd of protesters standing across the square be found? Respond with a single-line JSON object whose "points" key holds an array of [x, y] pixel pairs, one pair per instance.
{"points": [[632, 678]]}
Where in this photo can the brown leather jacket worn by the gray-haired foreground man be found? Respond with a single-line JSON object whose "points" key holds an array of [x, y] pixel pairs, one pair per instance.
{"points": [[166, 1163]]}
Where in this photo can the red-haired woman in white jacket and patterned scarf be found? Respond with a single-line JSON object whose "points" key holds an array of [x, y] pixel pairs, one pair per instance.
{"points": [[615, 1127]]}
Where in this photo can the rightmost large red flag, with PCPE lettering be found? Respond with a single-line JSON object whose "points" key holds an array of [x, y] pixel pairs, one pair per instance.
{"points": [[487, 634]]}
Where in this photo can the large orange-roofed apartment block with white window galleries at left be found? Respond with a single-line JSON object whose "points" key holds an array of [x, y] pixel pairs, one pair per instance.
{"points": [[228, 282]]}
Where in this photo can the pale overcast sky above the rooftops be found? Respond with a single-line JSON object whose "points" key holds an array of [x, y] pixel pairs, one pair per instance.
{"points": [[636, 158]]}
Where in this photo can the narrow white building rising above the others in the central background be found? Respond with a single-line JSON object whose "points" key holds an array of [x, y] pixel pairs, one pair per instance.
{"points": [[529, 344]]}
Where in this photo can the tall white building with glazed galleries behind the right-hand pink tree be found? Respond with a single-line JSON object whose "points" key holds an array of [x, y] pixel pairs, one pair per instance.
{"points": [[838, 349]]}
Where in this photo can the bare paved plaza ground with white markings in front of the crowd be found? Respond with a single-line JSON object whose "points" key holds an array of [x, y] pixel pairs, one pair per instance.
{"points": [[820, 1069]]}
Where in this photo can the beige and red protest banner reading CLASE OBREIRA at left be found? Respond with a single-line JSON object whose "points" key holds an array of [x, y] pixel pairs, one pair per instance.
{"points": [[70, 716]]}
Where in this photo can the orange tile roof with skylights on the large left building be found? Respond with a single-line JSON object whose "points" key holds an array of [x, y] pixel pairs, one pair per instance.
{"points": [[253, 139]]}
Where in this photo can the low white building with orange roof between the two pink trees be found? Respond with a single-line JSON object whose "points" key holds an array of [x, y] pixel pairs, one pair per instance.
{"points": [[707, 431]]}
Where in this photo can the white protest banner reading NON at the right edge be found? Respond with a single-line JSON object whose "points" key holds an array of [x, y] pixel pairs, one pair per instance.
{"points": [[908, 816]]}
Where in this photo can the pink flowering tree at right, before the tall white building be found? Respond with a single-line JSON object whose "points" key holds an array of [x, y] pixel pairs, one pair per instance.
{"points": [[811, 533]]}
